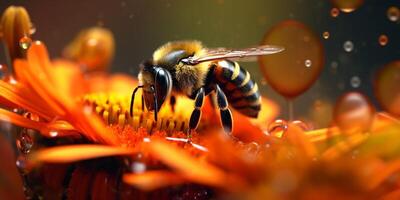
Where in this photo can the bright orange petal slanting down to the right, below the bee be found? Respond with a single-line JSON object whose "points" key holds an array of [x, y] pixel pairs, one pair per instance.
{"points": [[190, 168]]}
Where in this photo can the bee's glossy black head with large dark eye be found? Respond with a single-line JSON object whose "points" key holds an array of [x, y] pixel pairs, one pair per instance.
{"points": [[157, 85]]}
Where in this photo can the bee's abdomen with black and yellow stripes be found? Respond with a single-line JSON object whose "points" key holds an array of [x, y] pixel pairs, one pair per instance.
{"points": [[241, 91]]}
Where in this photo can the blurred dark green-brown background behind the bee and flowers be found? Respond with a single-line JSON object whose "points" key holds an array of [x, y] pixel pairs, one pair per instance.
{"points": [[141, 26]]}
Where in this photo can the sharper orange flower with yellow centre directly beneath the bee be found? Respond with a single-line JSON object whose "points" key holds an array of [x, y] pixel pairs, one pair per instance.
{"points": [[69, 104]]}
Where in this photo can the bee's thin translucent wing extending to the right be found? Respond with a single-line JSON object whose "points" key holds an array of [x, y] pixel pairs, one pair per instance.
{"points": [[247, 54]]}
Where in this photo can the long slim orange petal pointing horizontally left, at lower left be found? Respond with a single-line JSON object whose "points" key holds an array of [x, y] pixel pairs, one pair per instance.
{"points": [[73, 153]]}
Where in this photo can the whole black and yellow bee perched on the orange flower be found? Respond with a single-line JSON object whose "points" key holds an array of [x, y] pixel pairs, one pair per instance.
{"points": [[189, 68]]}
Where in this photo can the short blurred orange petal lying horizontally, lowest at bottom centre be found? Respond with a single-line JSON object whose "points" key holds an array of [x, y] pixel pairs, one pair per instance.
{"points": [[153, 179]]}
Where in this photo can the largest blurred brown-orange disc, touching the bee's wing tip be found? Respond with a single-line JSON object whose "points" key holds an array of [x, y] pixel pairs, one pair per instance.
{"points": [[294, 70]]}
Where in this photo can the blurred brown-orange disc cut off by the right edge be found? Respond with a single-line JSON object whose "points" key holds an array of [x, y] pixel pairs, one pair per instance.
{"points": [[386, 87]]}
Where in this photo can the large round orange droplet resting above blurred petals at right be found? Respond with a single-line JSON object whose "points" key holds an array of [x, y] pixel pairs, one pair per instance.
{"points": [[353, 113]]}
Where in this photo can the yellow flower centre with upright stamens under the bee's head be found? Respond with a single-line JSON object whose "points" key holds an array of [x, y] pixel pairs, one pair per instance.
{"points": [[114, 110]]}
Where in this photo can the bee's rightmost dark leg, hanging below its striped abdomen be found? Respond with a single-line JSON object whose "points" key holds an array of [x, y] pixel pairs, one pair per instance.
{"points": [[226, 115]]}
